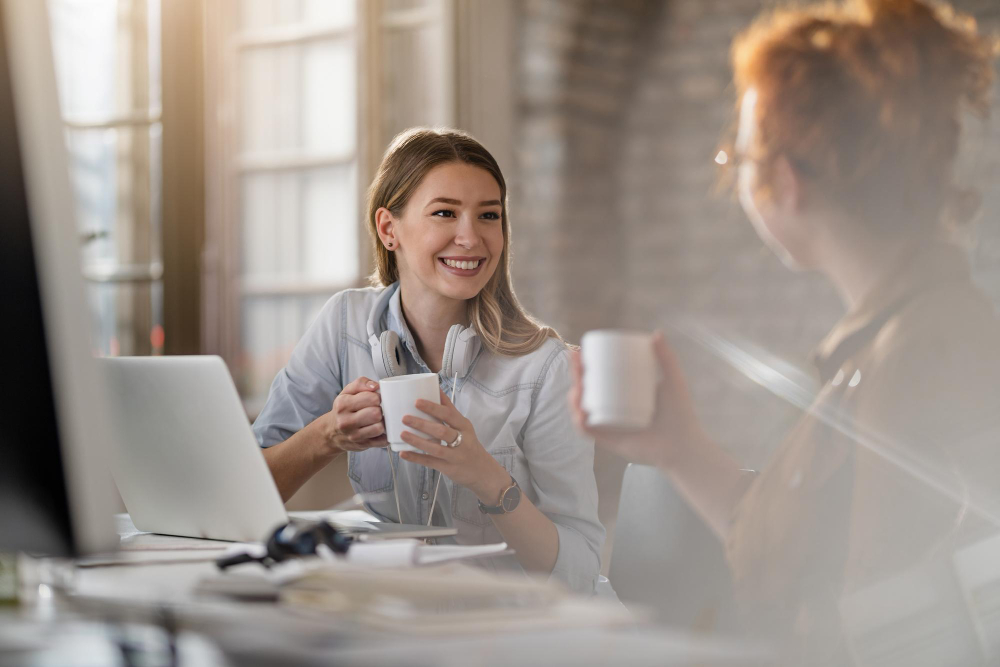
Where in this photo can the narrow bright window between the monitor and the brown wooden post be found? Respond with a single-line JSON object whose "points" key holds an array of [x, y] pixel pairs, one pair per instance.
{"points": [[107, 58]]}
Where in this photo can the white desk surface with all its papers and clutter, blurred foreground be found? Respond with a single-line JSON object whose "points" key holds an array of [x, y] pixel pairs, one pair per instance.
{"points": [[396, 602]]}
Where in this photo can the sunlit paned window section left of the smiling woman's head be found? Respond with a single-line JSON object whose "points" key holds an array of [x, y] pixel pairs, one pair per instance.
{"points": [[282, 231]]}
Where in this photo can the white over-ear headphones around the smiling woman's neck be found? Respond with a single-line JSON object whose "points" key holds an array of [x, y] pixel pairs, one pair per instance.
{"points": [[460, 347]]}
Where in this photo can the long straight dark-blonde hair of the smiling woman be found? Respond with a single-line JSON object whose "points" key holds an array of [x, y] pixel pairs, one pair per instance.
{"points": [[496, 315]]}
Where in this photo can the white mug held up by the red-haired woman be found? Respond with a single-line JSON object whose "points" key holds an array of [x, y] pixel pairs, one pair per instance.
{"points": [[620, 374]]}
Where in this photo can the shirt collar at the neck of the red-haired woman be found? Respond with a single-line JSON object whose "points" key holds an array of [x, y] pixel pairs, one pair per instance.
{"points": [[922, 269]]}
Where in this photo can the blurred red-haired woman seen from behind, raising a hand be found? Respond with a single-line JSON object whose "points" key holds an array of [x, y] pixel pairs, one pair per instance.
{"points": [[850, 117]]}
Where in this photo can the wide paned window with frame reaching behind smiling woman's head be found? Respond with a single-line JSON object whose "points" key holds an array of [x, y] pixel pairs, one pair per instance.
{"points": [[303, 96]]}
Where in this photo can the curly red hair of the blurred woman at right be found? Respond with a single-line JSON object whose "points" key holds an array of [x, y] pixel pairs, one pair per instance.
{"points": [[865, 99]]}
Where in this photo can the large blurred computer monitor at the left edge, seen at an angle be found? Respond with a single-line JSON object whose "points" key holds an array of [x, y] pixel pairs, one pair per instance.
{"points": [[56, 493]]}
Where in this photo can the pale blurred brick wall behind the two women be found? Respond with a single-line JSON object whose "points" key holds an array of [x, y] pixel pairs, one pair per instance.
{"points": [[619, 114]]}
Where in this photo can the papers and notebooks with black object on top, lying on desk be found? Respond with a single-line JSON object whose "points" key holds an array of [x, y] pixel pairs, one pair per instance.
{"points": [[311, 567]]}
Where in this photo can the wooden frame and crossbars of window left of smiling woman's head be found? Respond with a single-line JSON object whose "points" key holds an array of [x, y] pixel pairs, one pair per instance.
{"points": [[224, 289]]}
